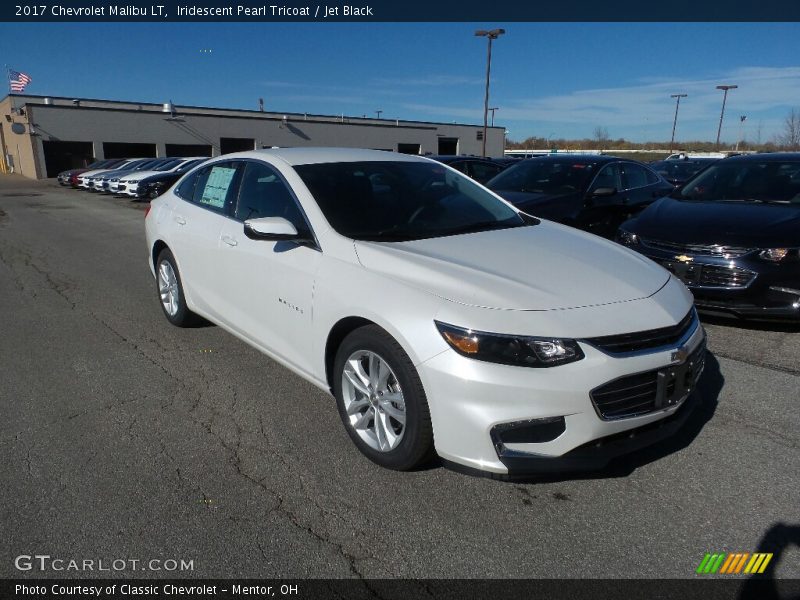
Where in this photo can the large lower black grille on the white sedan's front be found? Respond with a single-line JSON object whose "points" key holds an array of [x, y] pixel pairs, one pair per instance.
{"points": [[636, 395]]}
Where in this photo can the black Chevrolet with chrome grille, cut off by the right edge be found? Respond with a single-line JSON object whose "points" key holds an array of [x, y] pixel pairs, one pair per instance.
{"points": [[732, 235]]}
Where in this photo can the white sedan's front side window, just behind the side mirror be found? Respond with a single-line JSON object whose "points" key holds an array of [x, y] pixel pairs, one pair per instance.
{"points": [[263, 193]]}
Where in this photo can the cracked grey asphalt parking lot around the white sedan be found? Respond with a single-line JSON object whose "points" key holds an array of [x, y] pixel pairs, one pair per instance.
{"points": [[126, 438]]}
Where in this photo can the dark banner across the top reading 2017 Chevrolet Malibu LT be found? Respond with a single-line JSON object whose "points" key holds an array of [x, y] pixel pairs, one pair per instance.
{"points": [[394, 11]]}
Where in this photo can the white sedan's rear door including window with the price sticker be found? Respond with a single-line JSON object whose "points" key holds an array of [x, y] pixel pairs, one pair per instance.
{"points": [[205, 200]]}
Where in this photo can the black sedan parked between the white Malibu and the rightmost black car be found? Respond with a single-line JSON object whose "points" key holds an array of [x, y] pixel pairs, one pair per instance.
{"points": [[591, 192]]}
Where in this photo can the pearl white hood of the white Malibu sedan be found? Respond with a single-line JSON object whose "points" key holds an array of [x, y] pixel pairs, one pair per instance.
{"points": [[542, 267]]}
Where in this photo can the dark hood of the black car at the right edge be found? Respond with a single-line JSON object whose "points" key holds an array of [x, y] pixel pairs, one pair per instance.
{"points": [[748, 224]]}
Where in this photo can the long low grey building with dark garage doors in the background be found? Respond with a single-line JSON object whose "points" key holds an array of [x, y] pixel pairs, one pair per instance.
{"points": [[40, 136]]}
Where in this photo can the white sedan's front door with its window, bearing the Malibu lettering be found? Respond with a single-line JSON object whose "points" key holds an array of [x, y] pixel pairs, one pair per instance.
{"points": [[272, 281]]}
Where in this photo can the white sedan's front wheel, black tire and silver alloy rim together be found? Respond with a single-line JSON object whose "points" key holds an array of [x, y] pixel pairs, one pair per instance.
{"points": [[381, 400]]}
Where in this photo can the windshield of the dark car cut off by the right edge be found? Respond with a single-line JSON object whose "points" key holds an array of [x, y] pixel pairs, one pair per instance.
{"points": [[739, 180]]}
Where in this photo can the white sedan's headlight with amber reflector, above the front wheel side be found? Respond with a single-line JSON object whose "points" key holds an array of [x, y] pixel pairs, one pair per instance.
{"points": [[516, 350]]}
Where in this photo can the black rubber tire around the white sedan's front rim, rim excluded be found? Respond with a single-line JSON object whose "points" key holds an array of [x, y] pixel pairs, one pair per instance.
{"points": [[416, 447]]}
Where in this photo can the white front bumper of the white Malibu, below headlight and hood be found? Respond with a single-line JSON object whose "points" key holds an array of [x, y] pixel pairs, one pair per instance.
{"points": [[474, 398]]}
